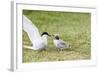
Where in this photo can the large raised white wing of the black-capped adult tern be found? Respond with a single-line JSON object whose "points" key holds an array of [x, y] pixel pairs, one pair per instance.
{"points": [[32, 32]]}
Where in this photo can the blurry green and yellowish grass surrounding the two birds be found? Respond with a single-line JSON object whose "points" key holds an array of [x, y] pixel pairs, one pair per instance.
{"points": [[73, 27]]}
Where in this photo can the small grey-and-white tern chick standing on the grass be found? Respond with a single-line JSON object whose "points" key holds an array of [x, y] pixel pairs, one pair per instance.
{"points": [[60, 44]]}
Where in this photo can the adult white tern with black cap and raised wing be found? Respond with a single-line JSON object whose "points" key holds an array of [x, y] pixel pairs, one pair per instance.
{"points": [[39, 41]]}
